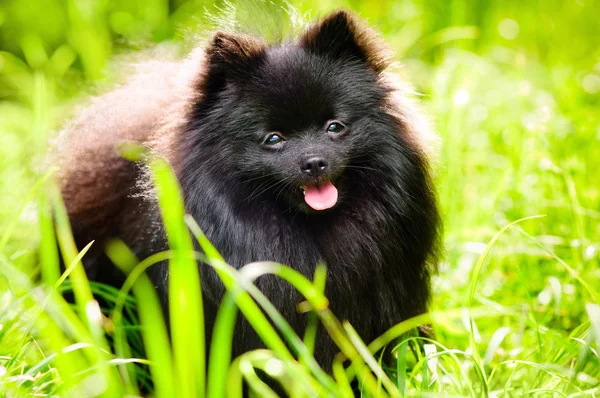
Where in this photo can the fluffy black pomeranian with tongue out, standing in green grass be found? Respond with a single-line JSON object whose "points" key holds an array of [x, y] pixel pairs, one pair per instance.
{"points": [[296, 152]]}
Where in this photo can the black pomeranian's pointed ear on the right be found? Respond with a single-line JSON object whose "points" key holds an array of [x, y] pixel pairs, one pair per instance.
{"points": [[341, 35]]}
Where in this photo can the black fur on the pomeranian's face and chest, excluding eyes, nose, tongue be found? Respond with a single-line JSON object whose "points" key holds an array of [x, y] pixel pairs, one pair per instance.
{"points": [[378, 242]]}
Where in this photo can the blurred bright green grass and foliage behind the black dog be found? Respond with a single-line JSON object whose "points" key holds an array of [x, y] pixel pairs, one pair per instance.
{"points": [[513, 88]]}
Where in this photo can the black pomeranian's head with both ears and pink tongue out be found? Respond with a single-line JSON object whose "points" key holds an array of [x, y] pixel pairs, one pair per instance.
{"points": [[303, 119]]}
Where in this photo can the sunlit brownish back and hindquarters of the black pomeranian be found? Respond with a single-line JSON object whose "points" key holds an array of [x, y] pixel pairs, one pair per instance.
{"points": [[99, 187]]}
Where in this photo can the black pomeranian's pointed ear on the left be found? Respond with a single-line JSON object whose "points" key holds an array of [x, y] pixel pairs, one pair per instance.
{"points": [[231, 57]]}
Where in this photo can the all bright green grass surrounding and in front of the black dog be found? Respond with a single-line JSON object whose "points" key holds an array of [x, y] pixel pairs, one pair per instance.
{"points": [[513, 88]]}
